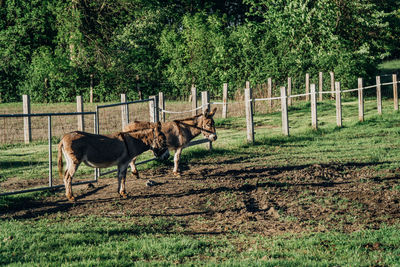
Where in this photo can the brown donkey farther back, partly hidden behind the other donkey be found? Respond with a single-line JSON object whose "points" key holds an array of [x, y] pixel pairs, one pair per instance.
{"points": [[179, 133]]}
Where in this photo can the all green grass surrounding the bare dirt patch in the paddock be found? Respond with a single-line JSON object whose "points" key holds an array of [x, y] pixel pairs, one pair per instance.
{"points": [[147, 241]]}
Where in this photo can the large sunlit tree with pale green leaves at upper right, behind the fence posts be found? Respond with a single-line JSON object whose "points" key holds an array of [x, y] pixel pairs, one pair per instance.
{"points": [[311, 36]]}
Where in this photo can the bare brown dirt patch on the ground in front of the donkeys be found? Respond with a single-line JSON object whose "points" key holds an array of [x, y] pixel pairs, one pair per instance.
{"points": [[238, 195]]}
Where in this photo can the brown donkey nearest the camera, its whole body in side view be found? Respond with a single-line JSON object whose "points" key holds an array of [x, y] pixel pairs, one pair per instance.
{"points": [[102, 151]]}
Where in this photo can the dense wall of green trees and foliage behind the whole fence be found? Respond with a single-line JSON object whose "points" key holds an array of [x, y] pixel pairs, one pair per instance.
{"points": [[49, 49]]}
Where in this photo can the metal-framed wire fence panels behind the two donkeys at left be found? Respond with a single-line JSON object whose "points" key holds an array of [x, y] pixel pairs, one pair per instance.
{"points": [[107, 118]]}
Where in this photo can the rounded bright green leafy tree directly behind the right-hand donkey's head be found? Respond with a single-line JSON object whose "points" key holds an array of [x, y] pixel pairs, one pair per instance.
{"points": [[196, 53]]}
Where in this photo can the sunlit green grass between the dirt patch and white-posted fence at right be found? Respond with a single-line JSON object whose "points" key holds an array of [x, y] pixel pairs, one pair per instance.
{"points": [[374, 140]]}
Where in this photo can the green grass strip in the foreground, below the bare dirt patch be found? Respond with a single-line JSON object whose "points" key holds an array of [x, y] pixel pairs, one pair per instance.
{"points": [[105, 242]]}
